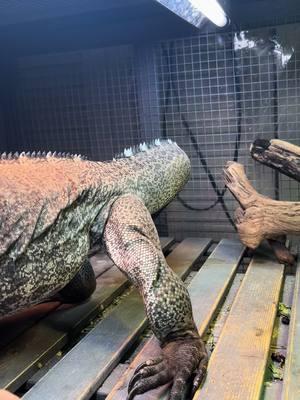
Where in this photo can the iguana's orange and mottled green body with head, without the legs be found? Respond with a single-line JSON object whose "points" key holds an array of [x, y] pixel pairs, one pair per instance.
{"points": [[55, 207]]}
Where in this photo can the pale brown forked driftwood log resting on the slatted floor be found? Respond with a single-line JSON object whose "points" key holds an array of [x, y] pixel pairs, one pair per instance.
{"points": [[260, 217]]}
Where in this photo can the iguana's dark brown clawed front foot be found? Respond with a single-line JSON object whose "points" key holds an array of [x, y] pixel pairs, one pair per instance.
{"points": [[183, 362]]}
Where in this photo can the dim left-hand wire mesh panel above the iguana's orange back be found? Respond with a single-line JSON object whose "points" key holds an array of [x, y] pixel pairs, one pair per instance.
{"points": [[79, 102]]}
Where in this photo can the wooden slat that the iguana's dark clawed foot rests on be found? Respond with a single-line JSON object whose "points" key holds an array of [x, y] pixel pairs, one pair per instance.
{"points": [[207, 290]]}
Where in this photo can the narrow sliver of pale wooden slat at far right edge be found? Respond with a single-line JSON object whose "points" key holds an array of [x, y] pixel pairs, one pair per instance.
{"points": [[291, 383]]}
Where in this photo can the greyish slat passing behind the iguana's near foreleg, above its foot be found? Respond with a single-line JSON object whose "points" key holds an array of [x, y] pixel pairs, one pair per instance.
{"points": [[100, 351]]}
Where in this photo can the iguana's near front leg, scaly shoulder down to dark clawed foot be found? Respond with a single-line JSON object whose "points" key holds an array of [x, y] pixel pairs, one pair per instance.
{"points": [[132, 242]]}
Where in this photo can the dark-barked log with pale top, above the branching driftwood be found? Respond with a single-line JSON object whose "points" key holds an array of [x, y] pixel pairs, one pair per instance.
{"points": [[278, 154]]}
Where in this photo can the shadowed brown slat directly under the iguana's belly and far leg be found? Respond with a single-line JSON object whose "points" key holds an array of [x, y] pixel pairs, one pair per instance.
{"points": [[36, 345]]}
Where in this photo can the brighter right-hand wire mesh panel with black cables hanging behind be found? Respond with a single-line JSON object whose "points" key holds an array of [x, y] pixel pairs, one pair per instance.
{"points": [[218, 94]]}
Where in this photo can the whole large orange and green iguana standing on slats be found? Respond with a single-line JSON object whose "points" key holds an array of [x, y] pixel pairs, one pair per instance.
{"points": [[54, 207]]}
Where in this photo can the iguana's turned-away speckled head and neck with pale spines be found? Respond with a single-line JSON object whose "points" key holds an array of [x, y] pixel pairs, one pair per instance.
{"points": [[155, 174]]}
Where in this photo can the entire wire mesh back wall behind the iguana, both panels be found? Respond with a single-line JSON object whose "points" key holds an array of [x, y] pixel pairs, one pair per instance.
{"points": [[212, 93]]}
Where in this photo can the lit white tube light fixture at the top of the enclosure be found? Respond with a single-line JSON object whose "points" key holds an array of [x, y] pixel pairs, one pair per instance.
{"points": [[195, 11]]}
